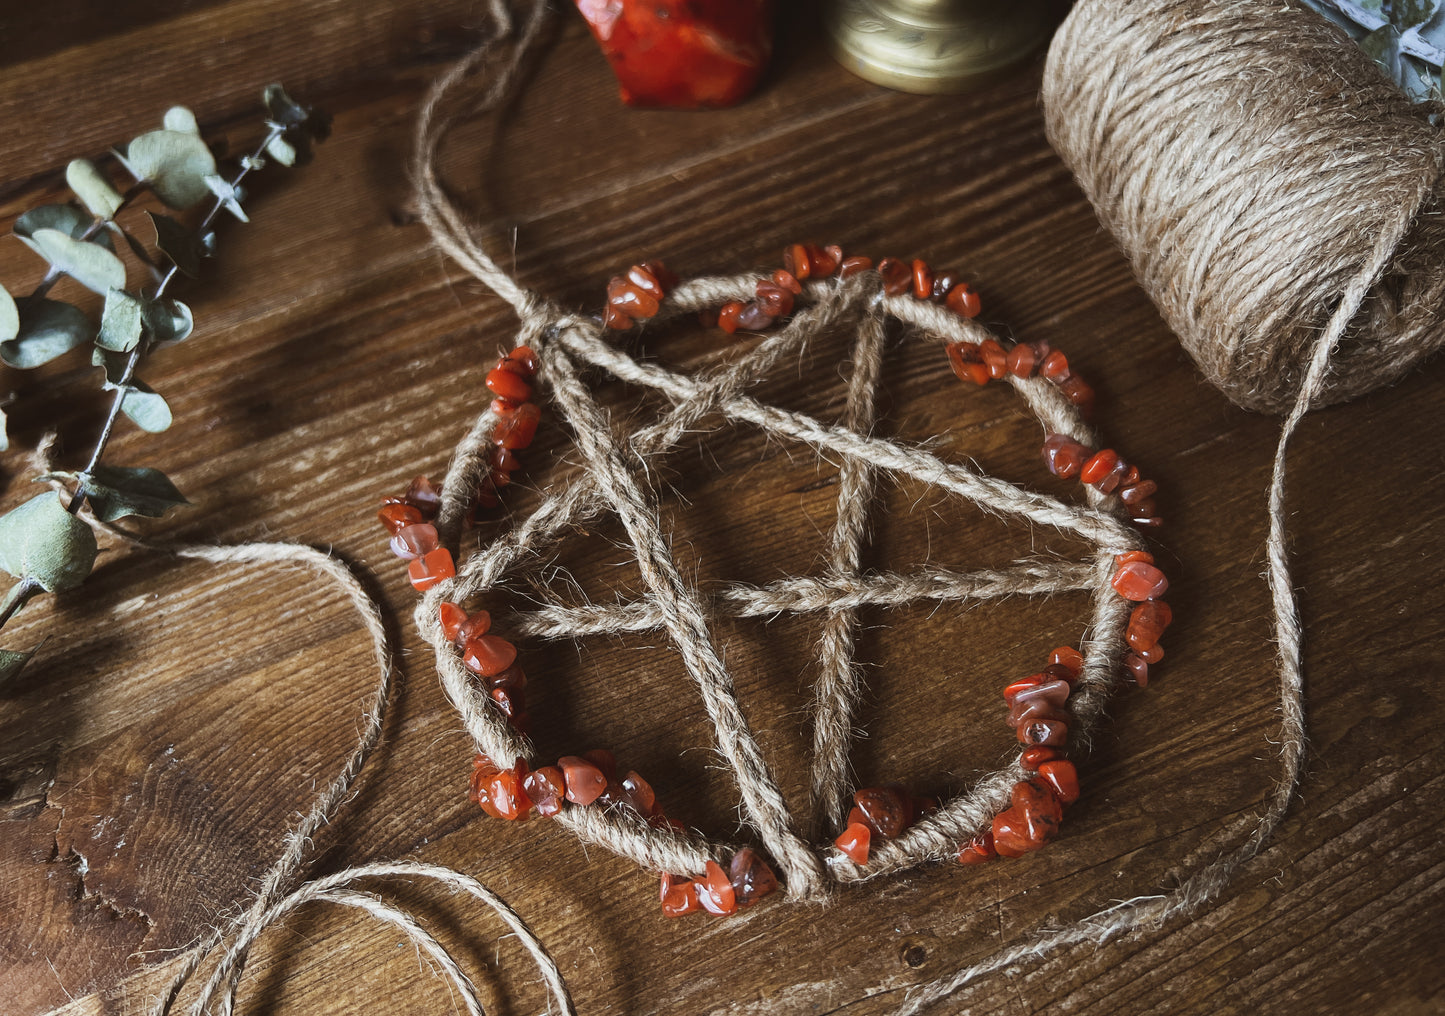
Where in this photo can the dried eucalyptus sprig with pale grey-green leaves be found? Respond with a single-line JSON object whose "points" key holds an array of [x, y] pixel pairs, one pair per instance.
{"points": [[43, 543]]}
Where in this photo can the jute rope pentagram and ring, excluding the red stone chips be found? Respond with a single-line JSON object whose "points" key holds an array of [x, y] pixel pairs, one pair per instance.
{"points": [[616, 478]]}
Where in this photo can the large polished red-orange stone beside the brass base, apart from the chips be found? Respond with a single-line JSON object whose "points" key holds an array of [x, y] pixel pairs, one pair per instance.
{"points": [[683, 54]]}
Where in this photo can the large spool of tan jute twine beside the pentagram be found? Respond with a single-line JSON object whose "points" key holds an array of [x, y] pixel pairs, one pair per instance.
{"points": [[1248, 158]]}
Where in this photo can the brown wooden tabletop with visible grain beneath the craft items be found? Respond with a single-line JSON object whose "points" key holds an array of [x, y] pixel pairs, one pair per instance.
{"points": [[180, 716]]}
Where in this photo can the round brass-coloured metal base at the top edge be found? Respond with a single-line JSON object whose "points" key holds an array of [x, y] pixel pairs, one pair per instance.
{"points": [[936, 46]]}
